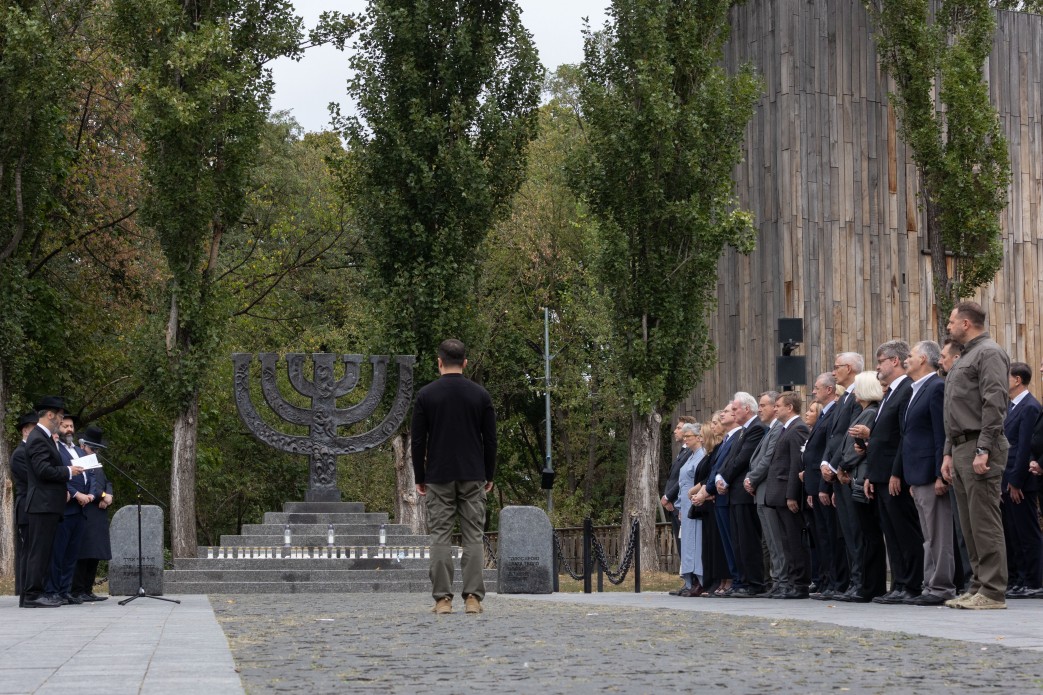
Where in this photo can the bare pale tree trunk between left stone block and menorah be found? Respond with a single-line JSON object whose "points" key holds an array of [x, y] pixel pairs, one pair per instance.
{"points": [[183, 519]]}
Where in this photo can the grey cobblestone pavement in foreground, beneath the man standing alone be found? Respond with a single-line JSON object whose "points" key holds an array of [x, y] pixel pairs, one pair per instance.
{"points": [[576, 644]]}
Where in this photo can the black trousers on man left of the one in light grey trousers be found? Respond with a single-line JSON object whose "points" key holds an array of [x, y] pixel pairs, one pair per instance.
{"points": [[904, 536]]}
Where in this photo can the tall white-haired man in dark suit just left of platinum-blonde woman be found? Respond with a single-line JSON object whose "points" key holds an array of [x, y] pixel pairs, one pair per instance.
{"points": [[848, 553]]}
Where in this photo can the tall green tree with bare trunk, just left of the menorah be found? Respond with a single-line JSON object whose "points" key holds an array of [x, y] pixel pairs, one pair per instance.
{"points": [[203, 94]]}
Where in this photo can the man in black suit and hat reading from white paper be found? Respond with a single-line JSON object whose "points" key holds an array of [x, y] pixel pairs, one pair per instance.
{"points": [[45, 501]]}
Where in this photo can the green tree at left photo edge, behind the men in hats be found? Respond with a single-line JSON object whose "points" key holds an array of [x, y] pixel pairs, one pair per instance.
{"points": [[39, 43]]}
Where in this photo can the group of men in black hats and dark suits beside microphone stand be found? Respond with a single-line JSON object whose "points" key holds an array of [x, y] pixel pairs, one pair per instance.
{"points": [[62, 526]]}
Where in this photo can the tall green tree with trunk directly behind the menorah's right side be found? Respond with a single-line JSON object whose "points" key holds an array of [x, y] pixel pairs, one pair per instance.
{"points": [[447, 97]]}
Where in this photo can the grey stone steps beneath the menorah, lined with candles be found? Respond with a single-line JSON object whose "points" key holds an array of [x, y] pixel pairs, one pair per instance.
{"points": [[253, 562]]}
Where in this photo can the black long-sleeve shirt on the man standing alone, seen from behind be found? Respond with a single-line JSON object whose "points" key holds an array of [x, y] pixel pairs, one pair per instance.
{"points": [[454, 433]]}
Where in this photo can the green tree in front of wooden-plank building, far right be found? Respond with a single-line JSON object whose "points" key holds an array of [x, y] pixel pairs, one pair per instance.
{"points": [[936, 57]]}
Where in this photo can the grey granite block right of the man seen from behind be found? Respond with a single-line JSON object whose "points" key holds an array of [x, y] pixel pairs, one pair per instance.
{"points": [[526, 552]]}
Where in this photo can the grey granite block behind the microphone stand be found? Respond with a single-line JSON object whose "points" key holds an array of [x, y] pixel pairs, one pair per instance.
{"points": [[124, 566]]}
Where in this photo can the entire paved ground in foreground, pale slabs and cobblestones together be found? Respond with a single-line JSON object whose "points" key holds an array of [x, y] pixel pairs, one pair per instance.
{"points": [[562, 643]]}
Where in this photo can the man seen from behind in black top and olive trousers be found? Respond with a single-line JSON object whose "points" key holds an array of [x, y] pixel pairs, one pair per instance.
{"points": [[454, 434]]}
